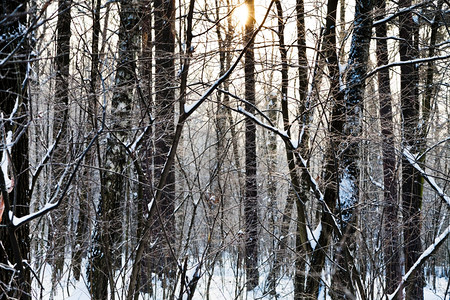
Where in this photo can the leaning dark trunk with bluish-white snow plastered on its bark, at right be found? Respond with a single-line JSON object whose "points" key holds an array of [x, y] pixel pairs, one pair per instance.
{"points": [[342, 282]]}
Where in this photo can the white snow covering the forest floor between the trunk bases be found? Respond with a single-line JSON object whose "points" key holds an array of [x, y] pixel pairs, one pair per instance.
{"points": [[224, 284]]}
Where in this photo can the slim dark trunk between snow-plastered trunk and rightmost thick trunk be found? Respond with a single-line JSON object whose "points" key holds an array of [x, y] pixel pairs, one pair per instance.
{"points": [[391, 239]]}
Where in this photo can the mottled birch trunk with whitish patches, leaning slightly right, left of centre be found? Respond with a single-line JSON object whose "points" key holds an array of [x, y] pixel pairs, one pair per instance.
{"points": [[107, 252]]}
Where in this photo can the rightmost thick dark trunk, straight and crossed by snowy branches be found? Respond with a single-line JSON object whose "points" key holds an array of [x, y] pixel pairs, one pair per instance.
{"points": [[411, 179]]}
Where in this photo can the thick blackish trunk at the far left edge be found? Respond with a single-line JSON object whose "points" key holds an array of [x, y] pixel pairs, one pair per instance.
{"points": [[13, 87]]}
